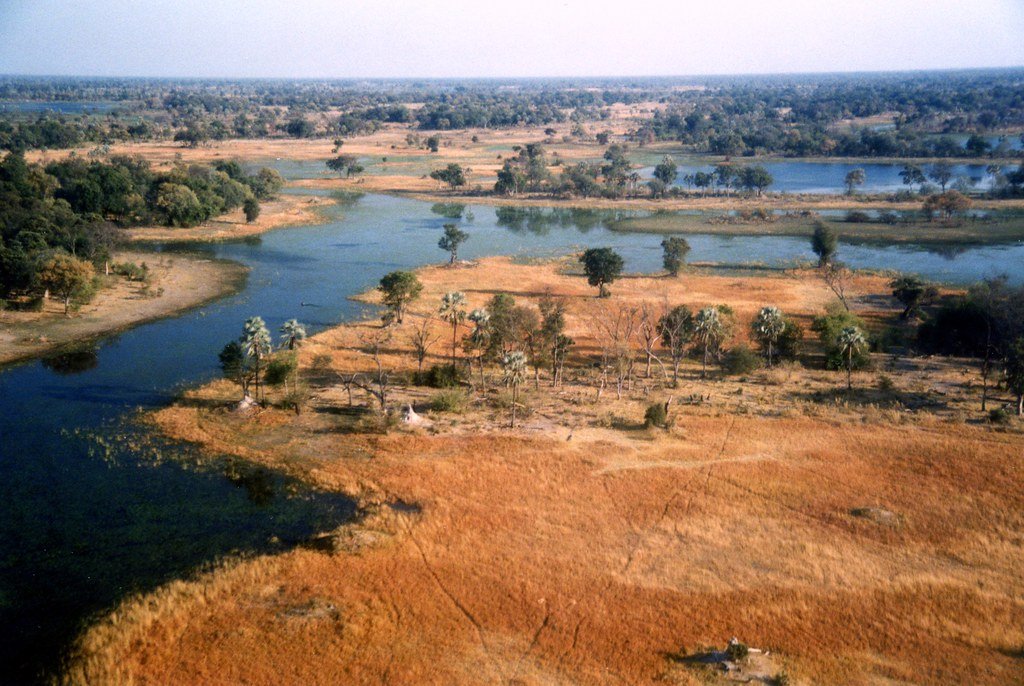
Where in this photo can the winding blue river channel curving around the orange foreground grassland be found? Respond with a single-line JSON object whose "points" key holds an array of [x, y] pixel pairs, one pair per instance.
{"points": [[80, 530]]}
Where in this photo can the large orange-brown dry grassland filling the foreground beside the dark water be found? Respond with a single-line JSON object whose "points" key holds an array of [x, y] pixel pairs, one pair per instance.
{"points": [[777, 509]]}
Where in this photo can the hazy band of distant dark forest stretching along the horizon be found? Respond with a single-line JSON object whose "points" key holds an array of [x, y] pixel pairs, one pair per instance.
{"points": [[931, 114]]}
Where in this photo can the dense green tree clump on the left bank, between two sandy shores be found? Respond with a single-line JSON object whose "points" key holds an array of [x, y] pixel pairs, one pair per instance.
{"points": [[66, 215]]}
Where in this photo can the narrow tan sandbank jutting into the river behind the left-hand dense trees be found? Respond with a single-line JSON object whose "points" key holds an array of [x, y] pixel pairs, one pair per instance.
{"points": [[288, 210]]}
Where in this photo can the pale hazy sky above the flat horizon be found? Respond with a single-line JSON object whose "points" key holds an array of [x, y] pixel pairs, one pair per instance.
{"points": [[420, 38]]}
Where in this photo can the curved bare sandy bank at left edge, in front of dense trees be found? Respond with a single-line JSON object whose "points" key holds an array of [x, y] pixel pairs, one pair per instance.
{"points": [[177, 283]]}
